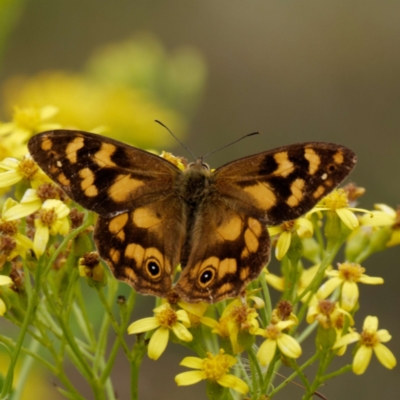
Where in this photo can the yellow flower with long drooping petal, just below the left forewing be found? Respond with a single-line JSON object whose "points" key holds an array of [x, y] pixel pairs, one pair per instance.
{"points": [[52, 220]]}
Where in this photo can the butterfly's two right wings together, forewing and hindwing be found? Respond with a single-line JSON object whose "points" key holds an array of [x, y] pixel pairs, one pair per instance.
{"points": [[230, 243]]}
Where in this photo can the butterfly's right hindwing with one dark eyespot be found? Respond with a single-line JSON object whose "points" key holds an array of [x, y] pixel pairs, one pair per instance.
{"points": [[229, 249]]}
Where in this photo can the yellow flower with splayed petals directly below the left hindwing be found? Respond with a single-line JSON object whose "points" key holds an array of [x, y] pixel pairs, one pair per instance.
{"points": [[165, 319]]}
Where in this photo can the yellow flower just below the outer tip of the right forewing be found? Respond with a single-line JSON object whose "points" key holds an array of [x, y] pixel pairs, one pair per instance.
{"points": [[337, 202]]}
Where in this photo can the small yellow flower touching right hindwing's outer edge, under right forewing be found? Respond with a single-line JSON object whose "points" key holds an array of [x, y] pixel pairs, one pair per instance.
{"points": [[301, 226]]}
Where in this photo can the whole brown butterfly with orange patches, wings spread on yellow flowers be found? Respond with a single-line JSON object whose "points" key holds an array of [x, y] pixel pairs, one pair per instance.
{"points": [[154, 216]]}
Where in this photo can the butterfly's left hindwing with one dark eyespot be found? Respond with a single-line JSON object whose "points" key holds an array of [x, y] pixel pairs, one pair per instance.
{"points": [[142, 247]]}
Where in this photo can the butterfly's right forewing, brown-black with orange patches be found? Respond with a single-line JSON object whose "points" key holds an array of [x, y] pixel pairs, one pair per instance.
{"points": [[282, 184]]}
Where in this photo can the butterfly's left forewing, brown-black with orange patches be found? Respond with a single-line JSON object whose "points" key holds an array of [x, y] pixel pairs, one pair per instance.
{"points": [[101, 174]]}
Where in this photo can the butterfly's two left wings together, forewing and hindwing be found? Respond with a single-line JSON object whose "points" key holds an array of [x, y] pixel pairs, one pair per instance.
{"points": [[141, 224]]}
